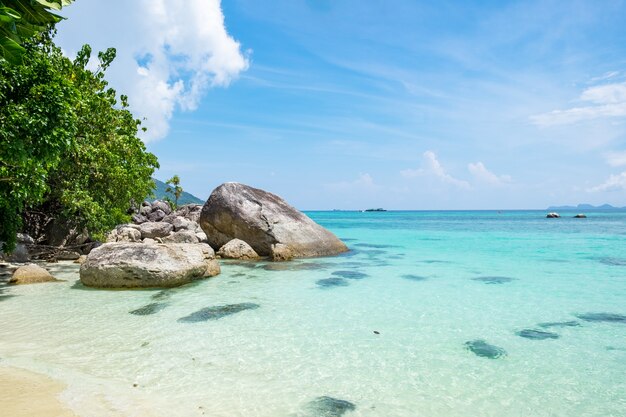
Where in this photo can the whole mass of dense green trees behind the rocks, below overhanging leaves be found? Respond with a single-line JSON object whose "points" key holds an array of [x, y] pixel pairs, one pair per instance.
{"points": [[67, 147]]}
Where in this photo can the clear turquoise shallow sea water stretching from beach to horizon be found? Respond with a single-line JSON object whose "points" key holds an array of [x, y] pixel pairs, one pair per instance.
{"points": [[429, 288]]}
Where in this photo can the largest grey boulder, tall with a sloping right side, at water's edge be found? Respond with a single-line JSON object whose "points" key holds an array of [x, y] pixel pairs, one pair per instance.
{"points": [[263, 220]]}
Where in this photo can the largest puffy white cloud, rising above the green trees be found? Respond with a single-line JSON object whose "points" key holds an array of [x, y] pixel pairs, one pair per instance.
{"points": [[169, 52]]}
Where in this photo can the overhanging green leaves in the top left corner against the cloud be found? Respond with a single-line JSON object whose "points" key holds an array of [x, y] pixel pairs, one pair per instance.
{"points": [[21, 19]]}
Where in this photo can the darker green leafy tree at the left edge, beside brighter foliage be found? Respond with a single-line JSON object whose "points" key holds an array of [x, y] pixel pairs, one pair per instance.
{"points": [[38, 125]]}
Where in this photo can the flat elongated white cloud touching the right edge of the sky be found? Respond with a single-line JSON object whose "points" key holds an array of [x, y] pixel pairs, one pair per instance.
{"points": [[604, 101]]}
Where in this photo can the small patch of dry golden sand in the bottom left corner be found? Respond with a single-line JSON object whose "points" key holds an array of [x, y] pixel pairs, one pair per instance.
{"points": [[25, 394]]}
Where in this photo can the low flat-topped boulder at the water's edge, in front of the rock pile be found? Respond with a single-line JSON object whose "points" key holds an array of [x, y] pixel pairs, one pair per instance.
{"points": [[128, 265]]}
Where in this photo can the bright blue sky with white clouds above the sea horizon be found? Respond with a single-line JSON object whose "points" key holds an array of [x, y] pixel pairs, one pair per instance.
{"points": [[351, 104]]}
